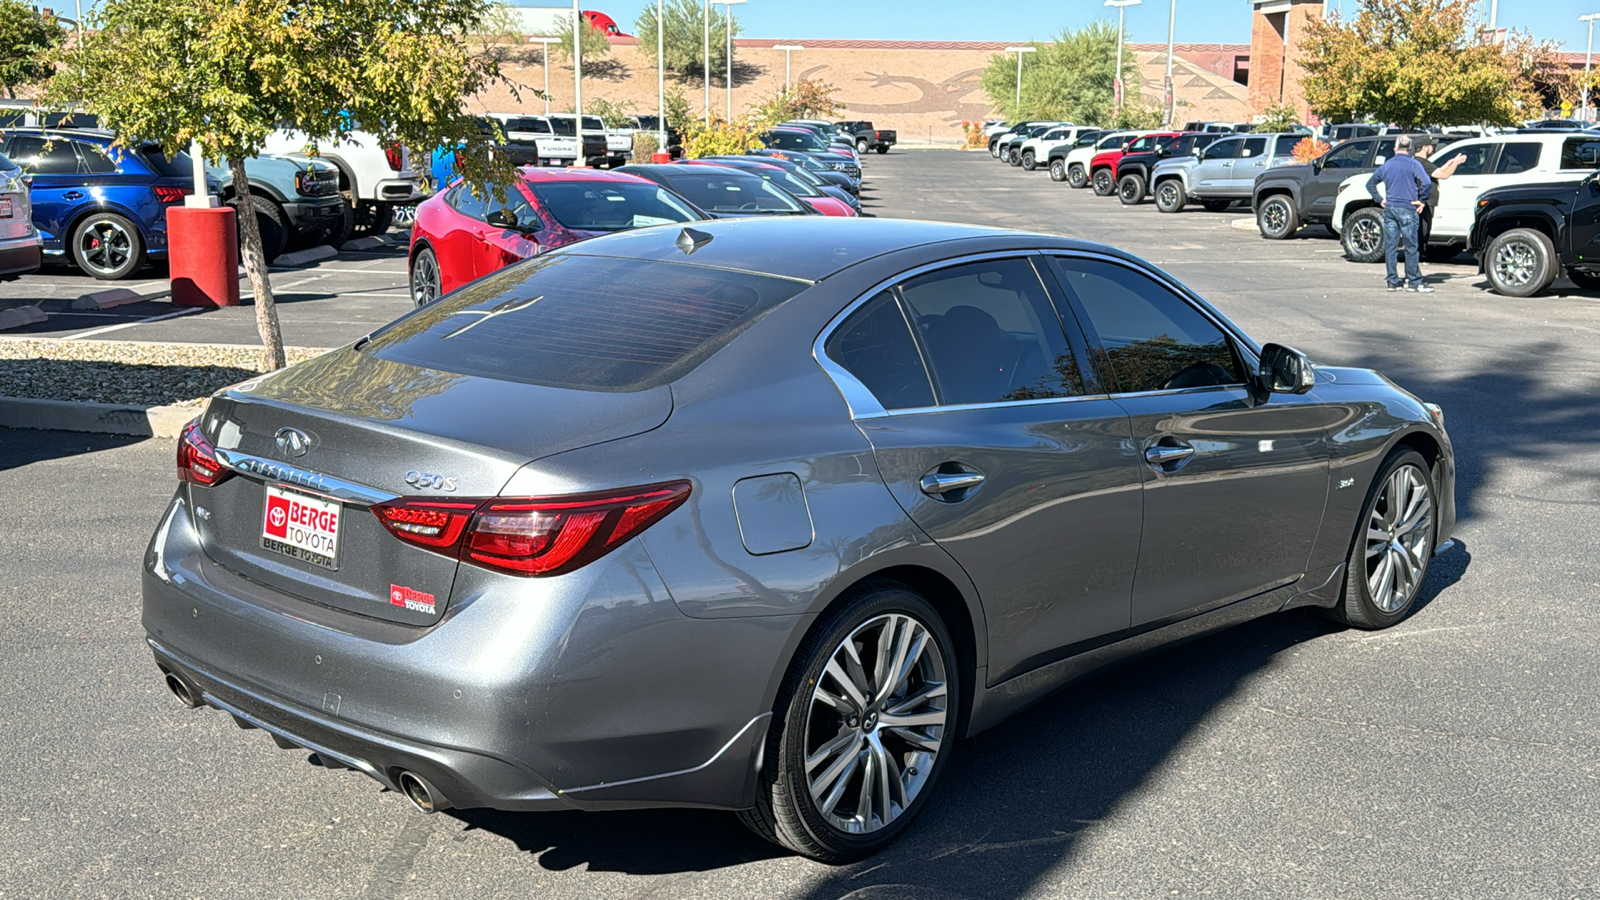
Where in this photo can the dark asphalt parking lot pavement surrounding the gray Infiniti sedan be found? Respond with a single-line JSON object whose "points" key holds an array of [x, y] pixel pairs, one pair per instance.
{"points": [[1457, 755]]}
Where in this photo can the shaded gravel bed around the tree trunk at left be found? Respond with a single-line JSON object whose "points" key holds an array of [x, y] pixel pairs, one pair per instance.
{"points": [[127, 372]]}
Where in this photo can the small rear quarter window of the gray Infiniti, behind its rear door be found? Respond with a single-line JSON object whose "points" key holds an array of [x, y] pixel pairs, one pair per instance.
{"points": [[876, 347]]}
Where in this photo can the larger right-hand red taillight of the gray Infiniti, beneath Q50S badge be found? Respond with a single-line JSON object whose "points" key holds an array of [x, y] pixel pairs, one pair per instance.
{"points": [[543, 536]]}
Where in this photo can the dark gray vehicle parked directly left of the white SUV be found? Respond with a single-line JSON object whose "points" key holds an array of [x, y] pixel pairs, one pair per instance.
{"points": [[1302, 195]]}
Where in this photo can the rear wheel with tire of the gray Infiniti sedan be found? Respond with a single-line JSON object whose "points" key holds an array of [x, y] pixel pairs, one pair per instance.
{"points": [[863, 728]]}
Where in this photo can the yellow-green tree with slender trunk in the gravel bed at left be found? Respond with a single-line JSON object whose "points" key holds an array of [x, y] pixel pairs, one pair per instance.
{"points": [[228, 73]]}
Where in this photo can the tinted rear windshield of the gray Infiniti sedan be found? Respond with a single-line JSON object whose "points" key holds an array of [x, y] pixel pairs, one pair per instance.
{"points": [[585, 323]]}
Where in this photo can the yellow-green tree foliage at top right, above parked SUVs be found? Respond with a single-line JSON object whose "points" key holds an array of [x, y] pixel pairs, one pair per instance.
{"points": [[1417, 63]]}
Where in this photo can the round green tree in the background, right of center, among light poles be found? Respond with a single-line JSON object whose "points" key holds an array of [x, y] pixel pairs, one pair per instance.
{"points": [[1070, 79]]}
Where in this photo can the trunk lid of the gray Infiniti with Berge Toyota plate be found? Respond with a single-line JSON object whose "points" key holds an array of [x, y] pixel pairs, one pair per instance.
{"points": [[318, 446]]}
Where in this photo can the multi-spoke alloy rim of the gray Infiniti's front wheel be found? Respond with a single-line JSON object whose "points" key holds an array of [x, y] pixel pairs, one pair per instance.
{"points": [[1398, 534]]}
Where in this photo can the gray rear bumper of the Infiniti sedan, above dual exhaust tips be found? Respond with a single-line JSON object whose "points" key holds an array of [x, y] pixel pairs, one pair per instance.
{"points": [[558, 694]]}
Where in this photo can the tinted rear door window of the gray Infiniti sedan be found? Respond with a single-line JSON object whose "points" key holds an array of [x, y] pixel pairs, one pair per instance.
{"points": [[991, 334]]}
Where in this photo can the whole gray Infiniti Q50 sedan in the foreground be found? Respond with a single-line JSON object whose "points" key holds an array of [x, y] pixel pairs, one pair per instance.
{"points": [[764, 516]]}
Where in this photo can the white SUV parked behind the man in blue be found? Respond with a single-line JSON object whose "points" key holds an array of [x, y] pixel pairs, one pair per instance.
{"points": [[1490, 163]]}
